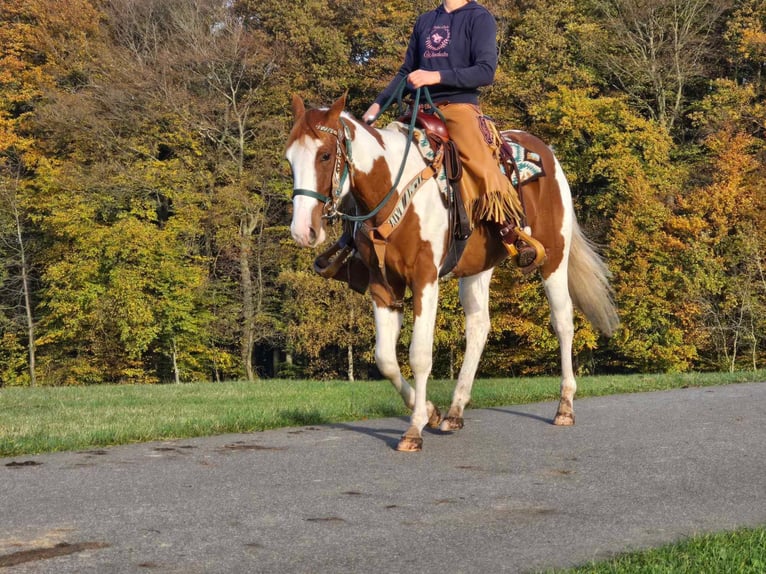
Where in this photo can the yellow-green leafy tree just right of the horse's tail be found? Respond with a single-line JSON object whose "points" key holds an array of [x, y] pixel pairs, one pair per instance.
{"points": [[620, 168]]}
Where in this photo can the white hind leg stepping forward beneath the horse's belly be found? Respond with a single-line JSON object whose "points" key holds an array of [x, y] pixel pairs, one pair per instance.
{"points": [[474, 296]]}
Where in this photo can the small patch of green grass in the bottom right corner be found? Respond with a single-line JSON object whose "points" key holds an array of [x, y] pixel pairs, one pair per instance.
{"points": [[742, 551]]}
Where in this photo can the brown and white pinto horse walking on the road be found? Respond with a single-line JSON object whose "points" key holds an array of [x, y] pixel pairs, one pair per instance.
{"points": [[333, 156]]}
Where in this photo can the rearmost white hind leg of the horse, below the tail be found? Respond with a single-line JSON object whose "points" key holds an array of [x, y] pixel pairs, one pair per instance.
{"points": [[562, 319]]}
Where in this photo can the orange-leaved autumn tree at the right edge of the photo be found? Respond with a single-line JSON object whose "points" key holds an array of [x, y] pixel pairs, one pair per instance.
{"points": [[720, 220]]}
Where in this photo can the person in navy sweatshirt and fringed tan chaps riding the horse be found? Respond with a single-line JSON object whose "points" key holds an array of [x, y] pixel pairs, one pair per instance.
{"points": [[453, 51]]}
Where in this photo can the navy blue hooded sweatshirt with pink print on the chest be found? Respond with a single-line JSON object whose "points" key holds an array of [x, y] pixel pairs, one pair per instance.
{"points": [[461, 45]]}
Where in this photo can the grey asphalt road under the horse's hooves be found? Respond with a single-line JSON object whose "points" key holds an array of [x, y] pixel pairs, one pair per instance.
{"points": [[508, 493]]}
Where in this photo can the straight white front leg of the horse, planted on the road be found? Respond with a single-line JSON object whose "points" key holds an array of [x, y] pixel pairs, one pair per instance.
{"points": [[425, 302]]}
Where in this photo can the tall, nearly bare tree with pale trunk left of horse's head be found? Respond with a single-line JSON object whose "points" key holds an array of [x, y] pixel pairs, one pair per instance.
{"points": [[214, 70]]}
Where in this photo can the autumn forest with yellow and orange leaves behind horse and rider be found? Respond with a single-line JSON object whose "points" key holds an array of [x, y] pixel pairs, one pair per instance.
{"points": [[144, 198]]}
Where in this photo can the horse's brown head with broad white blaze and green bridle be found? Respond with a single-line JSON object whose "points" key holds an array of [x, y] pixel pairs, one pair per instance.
{"points": [[316, 155]]}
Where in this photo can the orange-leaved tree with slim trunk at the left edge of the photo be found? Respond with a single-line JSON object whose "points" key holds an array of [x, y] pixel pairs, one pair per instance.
{"points": [[28, 68]]}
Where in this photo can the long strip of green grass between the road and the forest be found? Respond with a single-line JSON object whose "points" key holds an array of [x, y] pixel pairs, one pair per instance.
{"points": [[46, 419]]}
